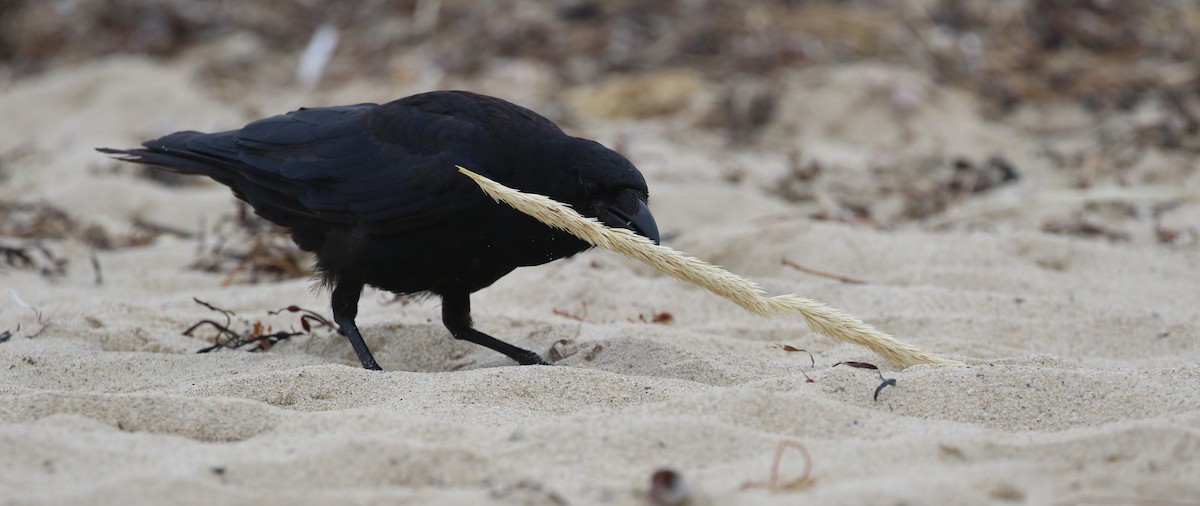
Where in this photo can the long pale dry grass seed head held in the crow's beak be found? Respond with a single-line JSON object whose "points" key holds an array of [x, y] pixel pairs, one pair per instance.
{"points": [[821, 318]]}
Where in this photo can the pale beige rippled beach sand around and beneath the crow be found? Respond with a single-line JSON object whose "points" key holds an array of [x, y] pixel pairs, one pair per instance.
{"points": [[1082, 353]]}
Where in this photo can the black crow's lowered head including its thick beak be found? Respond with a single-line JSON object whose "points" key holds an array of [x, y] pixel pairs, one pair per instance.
{"points": [[610, 189]]}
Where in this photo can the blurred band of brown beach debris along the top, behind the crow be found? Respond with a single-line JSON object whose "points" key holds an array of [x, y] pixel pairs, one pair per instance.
{"points": [[1103, 55]]}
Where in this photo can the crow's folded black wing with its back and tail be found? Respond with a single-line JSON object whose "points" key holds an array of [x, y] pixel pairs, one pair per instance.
{"points": [[388, 168]]}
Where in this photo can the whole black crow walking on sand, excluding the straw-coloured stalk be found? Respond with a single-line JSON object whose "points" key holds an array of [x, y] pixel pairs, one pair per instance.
{"points": [[374, 192]]}
